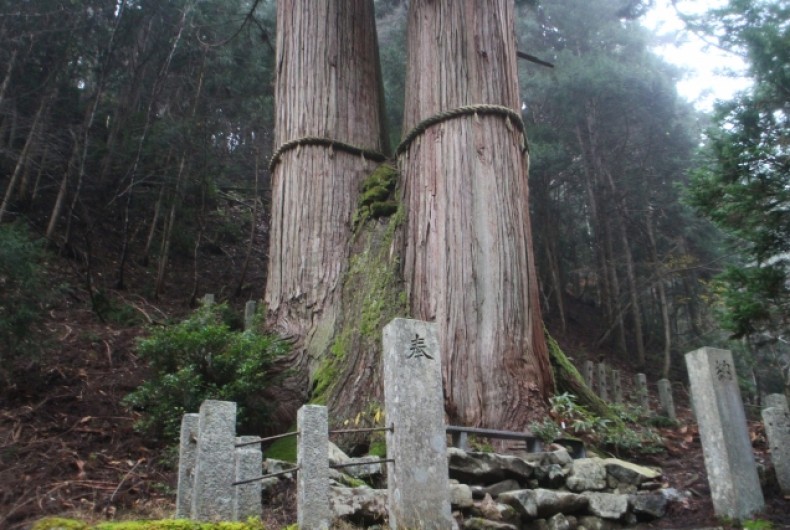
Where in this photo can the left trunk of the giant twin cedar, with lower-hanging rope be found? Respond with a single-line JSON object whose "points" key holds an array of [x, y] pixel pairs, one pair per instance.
{"points": [[328, 86]]}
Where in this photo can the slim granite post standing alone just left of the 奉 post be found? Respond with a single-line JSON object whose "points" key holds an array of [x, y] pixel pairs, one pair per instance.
{"points": [[312, 485]]}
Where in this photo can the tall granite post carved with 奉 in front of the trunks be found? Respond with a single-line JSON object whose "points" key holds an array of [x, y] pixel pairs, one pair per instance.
{"points": [[417, 479]]}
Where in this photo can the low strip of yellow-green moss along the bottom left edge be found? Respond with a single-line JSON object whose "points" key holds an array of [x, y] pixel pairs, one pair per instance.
{"points": [[59, 523]]}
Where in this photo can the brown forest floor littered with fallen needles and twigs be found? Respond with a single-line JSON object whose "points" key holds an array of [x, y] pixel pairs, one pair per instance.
{"points": [[67, 447]]}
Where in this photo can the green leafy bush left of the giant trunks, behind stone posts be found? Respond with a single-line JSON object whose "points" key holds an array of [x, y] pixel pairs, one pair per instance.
{"points": [[203, 358]]}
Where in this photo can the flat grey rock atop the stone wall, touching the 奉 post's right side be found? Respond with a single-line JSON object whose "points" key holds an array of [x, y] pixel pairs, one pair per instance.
{"points": [[485, 468]]}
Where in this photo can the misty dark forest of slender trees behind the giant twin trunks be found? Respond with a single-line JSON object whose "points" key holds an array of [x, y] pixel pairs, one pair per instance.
{"points": [[135, 138]]}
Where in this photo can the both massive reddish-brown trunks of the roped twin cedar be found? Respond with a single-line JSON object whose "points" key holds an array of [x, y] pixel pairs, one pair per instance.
{"points": [[466, 243]]}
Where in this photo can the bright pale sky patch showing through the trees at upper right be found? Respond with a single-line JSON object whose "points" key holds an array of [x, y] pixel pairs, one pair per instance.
{"points": [[706, 78]]}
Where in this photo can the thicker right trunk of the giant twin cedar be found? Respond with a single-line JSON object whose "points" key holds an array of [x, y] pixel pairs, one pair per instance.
{"points": [[468, 263]]}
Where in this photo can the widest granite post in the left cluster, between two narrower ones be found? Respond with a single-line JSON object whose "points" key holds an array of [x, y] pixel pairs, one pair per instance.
{"points": [[212, 495]]}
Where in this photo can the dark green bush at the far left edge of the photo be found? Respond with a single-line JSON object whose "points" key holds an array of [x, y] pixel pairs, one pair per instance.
{"points": [[22, 290]]}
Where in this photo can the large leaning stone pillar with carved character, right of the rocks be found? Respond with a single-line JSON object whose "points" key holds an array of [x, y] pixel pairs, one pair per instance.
{"points": [[726, 446]]}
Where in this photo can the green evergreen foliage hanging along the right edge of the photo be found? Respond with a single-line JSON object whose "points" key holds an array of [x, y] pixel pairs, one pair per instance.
{"points": [[744, 184]]}
